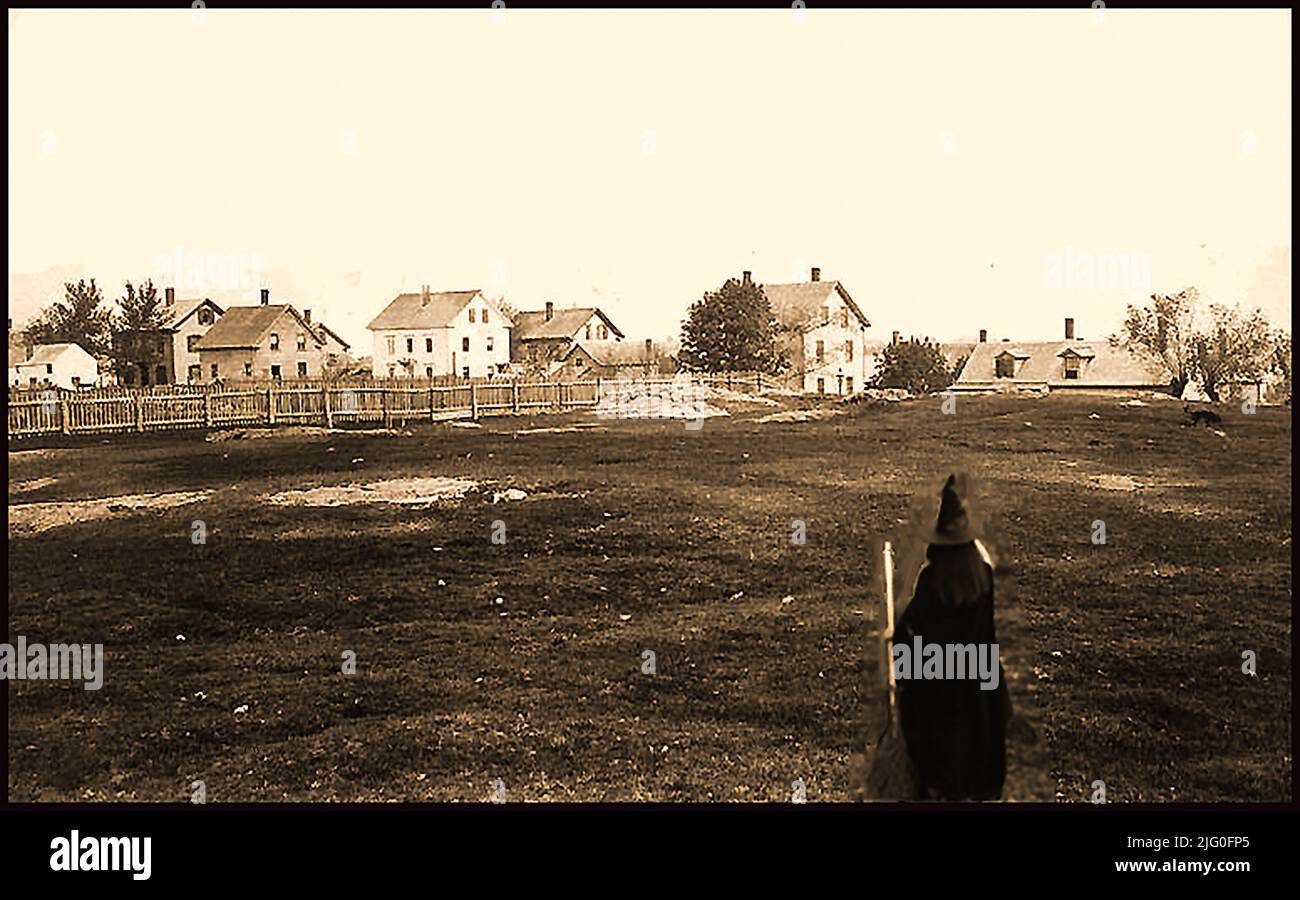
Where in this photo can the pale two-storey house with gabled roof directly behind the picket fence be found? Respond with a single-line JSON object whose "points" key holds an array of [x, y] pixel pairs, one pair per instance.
{"points": [[426, 335]]}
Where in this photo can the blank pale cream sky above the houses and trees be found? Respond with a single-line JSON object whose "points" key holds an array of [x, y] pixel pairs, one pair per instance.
{"points": [[935, 163]]}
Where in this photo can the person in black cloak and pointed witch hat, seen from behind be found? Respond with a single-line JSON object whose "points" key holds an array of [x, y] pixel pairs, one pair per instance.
{"points": [[956, 732]]}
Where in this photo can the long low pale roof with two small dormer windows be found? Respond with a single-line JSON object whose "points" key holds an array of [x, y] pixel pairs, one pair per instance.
{"points": [[1112, 367]]}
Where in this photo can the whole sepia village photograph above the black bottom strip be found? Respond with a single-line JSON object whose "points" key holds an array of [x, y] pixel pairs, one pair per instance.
{"points": [[501, 408]]}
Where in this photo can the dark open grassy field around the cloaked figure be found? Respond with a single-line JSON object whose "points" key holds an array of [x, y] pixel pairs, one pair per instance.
{"points": [[523, 661]]}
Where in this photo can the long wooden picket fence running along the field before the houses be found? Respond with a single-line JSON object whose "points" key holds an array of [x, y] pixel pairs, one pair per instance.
{"points": [[144, 410]]}
